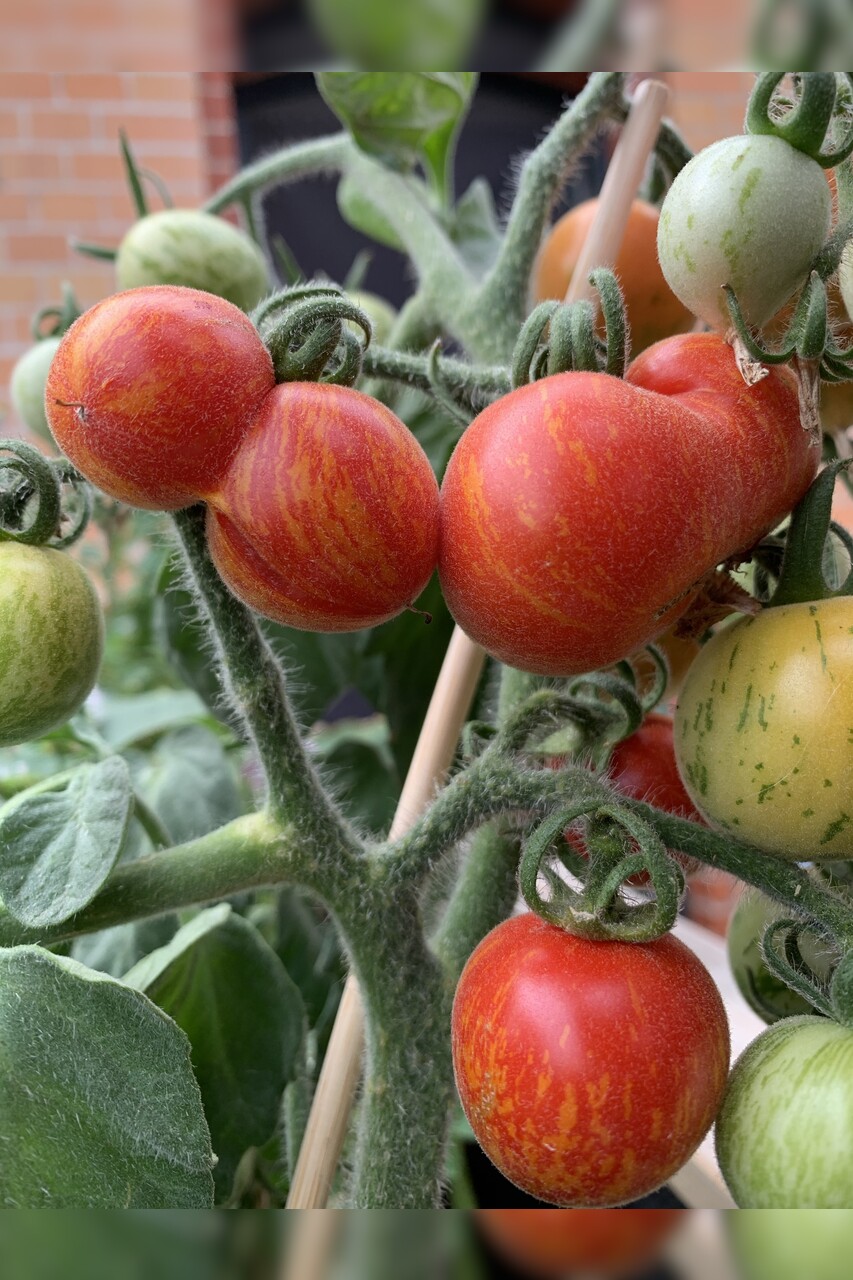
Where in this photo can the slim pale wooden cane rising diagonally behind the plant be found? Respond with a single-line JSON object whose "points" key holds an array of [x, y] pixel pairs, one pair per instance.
{"points": [[454, 691]]}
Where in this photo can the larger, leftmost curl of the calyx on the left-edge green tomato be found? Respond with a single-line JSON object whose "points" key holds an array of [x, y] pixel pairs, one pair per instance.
{"points": [[30, 496]]}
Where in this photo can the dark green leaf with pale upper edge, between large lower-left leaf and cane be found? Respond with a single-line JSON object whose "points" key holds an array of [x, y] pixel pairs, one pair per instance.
{"points": [[245, 1020]]}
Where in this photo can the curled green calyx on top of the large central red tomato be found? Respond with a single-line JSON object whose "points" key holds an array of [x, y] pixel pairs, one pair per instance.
{"points": [[559, 339]]}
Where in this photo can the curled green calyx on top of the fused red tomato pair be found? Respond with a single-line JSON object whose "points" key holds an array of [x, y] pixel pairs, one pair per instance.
{"points": [[305, 330]]}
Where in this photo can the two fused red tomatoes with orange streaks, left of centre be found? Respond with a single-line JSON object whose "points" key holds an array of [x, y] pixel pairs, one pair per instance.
{"points": [[323, 509]]}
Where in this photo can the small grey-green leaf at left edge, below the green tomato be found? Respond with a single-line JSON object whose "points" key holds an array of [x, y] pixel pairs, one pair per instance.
{"points": [[61, 840]]}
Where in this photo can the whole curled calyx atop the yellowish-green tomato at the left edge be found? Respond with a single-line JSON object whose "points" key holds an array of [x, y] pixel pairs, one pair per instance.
{"points": [[33, 509]]}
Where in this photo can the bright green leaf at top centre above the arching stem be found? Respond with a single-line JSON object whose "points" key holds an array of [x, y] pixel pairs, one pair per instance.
{"points": [[403, 118]]}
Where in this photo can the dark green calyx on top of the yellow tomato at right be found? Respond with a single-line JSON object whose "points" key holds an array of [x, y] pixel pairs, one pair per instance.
{"points": [[802, 577]]}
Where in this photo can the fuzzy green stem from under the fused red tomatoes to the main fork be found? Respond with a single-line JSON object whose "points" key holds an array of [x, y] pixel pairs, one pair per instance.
{"points": [[256, 685]]}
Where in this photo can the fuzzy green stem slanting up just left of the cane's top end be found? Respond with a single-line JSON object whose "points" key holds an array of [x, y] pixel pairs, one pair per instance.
{"points": [[496, 313]]}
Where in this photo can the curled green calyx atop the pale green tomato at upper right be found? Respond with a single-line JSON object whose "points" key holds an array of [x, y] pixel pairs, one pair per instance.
{"points": [[818, 122]]}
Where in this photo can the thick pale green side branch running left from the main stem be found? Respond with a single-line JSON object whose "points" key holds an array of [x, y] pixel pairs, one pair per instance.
{"points": [[249, 853]]}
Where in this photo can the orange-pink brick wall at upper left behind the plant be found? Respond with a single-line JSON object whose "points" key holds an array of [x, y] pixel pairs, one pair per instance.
{"points": [[61, 175]]}
